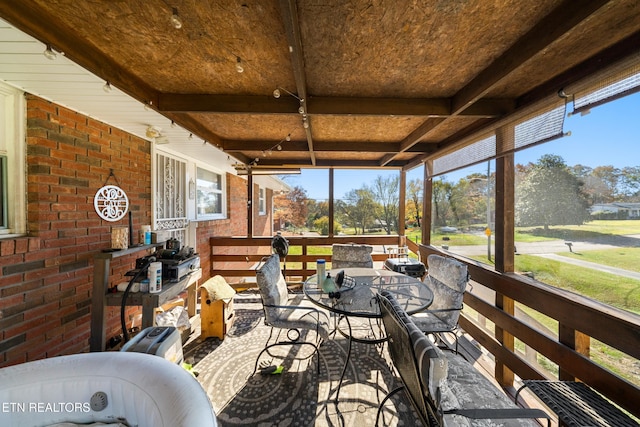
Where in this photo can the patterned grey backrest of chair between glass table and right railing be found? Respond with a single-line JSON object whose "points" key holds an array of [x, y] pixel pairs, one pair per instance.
{"points": [[448, 280]]}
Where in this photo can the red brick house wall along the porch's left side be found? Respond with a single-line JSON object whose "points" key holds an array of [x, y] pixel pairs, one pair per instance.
{"points": [[46, 279]]}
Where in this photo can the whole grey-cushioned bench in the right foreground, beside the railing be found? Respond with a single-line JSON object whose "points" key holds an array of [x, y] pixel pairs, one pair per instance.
{"points": [[442, 386]]}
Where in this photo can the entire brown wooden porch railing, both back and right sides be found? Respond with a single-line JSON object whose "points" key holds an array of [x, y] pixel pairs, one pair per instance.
{"points": [[579, 318]]}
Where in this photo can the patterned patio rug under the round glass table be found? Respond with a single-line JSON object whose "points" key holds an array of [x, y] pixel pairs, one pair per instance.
{"points": [[299, 396]]}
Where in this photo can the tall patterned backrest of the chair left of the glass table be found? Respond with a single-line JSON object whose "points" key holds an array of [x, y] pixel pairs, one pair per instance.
{"points": [[272, 286]]}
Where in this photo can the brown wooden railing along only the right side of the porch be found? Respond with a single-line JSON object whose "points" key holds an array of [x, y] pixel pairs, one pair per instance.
{"points": [[579, 319]]}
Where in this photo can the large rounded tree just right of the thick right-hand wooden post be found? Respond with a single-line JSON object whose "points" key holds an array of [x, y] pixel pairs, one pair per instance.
{"points": [[550, 195]]}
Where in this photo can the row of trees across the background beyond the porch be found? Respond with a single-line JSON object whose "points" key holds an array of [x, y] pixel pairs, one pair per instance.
{"points": [[548, 192]]}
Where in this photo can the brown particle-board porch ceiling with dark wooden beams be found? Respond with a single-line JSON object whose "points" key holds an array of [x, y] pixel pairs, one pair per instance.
{"points": [[363, 83]]}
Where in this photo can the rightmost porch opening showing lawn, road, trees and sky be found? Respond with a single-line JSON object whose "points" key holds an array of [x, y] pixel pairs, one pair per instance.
{"points": [[577, 200]]}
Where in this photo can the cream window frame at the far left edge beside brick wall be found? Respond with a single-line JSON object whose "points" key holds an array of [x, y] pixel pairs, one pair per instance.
{"points": [[13, 148]]}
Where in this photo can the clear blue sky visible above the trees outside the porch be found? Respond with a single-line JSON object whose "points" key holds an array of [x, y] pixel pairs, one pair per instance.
{"points": [[608, 135]]}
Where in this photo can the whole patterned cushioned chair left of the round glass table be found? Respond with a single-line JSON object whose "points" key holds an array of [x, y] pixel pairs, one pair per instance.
{"points": [[283, 314]]}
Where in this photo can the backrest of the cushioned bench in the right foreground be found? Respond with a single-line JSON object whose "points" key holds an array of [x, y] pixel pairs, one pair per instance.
{"points": [[420, 364]]}
